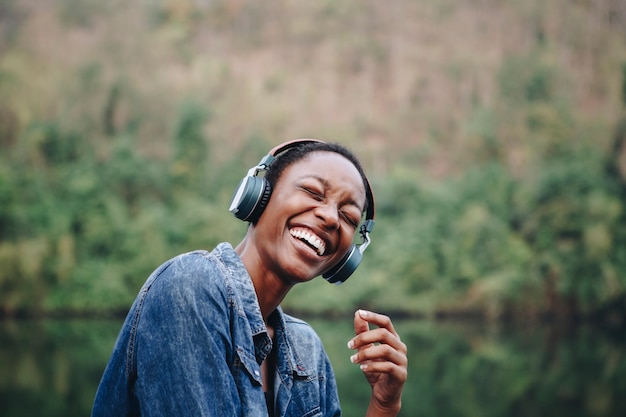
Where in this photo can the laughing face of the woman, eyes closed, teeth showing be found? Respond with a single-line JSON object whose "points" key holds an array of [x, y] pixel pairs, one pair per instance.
{"points": [[311, 217]]}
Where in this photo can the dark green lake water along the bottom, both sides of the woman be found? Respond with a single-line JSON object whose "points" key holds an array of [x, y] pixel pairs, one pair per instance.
{"points": [[456, 369]]}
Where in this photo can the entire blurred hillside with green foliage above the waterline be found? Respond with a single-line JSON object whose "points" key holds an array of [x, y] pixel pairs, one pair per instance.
{"points": [[106, 172]]}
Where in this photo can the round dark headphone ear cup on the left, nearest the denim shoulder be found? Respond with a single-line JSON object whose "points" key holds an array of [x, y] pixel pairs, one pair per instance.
{"points": [[250, 198]]}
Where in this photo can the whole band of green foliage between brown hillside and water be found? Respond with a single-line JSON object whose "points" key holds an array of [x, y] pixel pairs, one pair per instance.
{"points": [[87, 231]]}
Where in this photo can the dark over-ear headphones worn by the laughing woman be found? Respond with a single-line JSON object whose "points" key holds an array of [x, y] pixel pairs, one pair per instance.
{"points": [[253, 193]]}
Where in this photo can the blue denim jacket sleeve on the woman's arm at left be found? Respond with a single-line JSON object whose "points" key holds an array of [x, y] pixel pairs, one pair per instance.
{"points": [[182, 350]]}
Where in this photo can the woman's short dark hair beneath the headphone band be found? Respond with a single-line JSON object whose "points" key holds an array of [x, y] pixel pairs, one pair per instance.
{"points": [[298, 153]]}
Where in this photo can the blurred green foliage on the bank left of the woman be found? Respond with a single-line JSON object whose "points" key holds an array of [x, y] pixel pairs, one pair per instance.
{"points": [[84, 232]]}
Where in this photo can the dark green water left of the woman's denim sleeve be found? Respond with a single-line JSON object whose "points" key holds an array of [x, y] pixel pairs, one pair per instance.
{"points": [[51, 368]]}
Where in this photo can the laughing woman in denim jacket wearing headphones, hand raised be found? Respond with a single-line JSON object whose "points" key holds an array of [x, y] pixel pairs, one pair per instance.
{"points": [[206, 335]]}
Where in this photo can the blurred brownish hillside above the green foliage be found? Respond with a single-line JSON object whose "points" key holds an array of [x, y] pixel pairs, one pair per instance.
{"points": [[401, 80]]}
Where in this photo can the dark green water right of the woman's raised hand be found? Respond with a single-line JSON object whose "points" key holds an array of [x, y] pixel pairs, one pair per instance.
{"points": [[473, 369]]}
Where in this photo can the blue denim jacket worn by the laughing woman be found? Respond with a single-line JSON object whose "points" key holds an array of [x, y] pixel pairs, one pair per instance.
{"points": [[192, 345]]}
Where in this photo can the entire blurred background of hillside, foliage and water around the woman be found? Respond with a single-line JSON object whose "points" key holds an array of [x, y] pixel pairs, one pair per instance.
{"points": [[493, 132]]}
